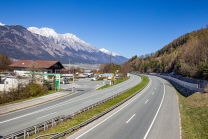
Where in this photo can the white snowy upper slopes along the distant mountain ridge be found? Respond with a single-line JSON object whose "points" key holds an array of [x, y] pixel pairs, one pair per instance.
{"points": [[64, 40]]}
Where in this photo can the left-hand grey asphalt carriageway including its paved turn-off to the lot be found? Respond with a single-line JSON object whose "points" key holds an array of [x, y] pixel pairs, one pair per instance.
{"points": [[85, 96]]}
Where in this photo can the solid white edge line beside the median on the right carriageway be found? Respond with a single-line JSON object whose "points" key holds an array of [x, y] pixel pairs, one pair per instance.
{"points": [[114, 112]]}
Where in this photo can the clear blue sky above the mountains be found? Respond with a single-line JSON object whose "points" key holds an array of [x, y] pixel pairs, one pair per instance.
{"points": [[127, 27]]}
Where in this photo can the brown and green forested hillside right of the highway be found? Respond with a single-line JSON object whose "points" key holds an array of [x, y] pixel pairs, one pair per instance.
{"points": [[186, 56]]}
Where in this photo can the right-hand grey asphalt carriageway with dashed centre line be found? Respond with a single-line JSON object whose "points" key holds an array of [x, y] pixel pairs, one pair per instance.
{"points": [[152, 114]]}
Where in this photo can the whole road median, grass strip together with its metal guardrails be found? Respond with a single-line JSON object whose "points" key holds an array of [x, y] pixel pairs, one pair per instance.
{"points": [[91, 113]]}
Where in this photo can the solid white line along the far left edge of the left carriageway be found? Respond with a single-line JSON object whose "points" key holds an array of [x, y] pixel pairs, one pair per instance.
{"points": [[63, 103]]}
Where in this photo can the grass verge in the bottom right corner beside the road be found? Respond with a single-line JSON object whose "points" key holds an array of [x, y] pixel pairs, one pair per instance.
{"points": [[194, 116]]}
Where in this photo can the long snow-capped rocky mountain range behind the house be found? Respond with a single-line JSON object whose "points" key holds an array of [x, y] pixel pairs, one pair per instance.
{"points": [[18, 42]]}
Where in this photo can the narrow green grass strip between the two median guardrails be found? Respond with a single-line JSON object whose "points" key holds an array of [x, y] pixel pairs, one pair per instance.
{"points": [[96, 110]]}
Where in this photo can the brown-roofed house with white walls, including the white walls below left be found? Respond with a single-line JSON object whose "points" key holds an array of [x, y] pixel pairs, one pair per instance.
{"points": [[21, 67]]}
